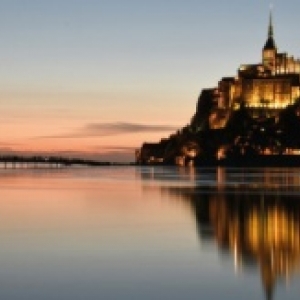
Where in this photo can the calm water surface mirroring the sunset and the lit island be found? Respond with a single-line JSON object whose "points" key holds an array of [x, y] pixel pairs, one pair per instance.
{"points": [[150, 233]]}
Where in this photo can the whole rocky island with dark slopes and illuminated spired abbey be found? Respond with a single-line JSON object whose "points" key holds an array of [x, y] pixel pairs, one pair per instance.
{"points": [[252, 119]]}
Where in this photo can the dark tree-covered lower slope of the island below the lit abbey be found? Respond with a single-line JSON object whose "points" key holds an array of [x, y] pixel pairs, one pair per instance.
{"points": [[244, 137]]}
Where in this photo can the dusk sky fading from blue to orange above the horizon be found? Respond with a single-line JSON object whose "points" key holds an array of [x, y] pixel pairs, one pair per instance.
{"points": [[97, 78]]}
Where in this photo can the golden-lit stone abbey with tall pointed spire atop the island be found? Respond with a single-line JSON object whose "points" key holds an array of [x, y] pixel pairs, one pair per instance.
{"points": [[272, 84]]}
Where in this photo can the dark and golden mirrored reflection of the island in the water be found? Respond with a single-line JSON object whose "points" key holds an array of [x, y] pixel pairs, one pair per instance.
{"points": [[252, 214]]}
